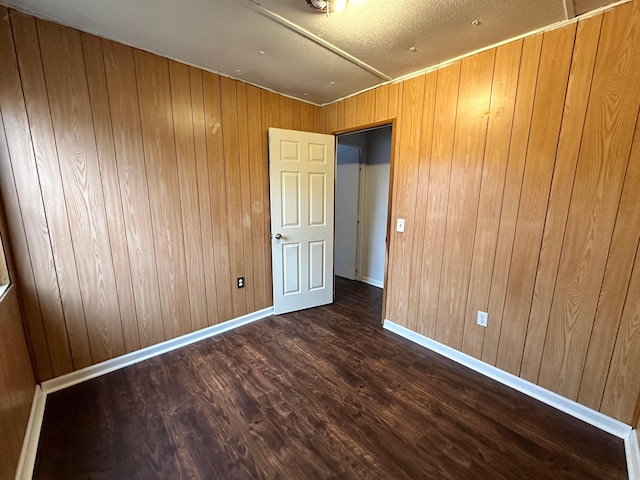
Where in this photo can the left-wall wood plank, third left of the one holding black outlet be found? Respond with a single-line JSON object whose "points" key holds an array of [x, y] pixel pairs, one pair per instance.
{"points": [[188, 183]]}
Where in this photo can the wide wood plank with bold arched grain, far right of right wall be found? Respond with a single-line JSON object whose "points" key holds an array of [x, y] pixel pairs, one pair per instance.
{"points": [[602, 164]]}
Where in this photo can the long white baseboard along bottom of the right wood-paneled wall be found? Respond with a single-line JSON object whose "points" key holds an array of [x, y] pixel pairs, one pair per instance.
{"points": [[586, 414]]}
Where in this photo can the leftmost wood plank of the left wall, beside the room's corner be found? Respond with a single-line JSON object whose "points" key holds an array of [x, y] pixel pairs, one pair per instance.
{"points": [[44, 297]]}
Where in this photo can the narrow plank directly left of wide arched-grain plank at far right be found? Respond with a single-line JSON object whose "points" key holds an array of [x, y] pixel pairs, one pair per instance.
{"points": [[580, 76]]}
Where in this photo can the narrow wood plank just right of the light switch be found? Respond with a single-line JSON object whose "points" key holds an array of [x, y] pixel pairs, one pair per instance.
{"points": [[419, 219]]}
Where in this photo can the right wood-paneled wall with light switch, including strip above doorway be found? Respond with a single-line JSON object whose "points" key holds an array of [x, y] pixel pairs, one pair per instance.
{"points": [[517, 170]]}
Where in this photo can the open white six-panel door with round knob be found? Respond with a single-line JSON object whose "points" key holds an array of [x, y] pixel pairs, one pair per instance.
{"points": [[302, 174]]}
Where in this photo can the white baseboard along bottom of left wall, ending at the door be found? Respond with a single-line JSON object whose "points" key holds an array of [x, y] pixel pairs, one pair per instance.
{"points": [[117, 363]]}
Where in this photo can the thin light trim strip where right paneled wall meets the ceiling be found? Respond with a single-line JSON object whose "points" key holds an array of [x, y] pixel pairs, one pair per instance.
{"points": [[547, 28]]}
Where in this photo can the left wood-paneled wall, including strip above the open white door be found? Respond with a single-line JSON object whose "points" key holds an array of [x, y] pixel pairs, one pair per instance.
{"points": [[136, 190]]}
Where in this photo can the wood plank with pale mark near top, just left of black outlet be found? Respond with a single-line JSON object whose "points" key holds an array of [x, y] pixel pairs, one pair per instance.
{"points": [[217, 188]]}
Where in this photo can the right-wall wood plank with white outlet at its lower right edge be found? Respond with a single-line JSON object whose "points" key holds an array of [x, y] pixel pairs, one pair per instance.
{"points": [[501, 110]]}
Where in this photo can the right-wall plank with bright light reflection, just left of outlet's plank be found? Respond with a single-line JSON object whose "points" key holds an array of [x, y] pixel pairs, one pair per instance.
{"points": [[474, 96]]}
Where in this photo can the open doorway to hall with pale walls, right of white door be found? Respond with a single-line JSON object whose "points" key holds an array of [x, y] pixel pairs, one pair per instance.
{"points": [[361, 207]]}
